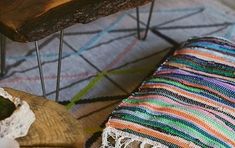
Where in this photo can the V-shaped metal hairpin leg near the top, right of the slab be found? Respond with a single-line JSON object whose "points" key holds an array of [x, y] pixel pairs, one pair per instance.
{"points": [[148, 23]]}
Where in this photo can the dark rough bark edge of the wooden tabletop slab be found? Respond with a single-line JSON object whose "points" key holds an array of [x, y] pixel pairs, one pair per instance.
{"points": [[67, 15]]}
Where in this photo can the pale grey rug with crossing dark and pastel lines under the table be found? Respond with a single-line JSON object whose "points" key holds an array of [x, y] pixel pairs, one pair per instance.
{"points": [[103, 62]]}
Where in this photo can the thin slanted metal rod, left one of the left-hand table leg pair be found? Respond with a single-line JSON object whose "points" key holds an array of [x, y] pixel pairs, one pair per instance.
{"points": [[40, 69]]}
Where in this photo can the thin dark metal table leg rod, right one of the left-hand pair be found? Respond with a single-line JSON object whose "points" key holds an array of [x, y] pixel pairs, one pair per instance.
{"points": [[59, 66]]}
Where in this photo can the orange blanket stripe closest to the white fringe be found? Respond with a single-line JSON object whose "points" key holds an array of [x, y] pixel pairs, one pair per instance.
{"points": [[141, 129]]}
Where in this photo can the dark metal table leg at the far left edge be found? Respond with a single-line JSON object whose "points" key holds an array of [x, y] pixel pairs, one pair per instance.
{"points": [[3, 54]]}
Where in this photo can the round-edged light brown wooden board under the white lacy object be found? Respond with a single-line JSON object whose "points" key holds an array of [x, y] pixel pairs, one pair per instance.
{"points": [[54, 126]]}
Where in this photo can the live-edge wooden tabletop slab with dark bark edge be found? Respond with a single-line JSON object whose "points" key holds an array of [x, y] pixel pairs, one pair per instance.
{"points": [[31, 20]]}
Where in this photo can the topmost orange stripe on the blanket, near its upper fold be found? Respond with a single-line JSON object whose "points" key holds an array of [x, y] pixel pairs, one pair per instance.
{"points": [[203, 54]]}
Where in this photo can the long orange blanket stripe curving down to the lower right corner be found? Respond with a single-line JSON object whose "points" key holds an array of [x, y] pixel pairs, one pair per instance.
{"points": [[189, 117]]}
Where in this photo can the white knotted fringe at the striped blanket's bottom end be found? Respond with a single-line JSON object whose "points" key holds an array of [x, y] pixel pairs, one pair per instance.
{"points": [[123, 139]]}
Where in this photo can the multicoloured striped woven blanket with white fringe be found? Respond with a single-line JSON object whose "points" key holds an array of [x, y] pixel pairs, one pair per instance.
{"points": [[188, 102]]}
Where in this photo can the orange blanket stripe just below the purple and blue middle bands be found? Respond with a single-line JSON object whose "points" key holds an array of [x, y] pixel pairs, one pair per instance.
{"points": [[193, 96]]}
